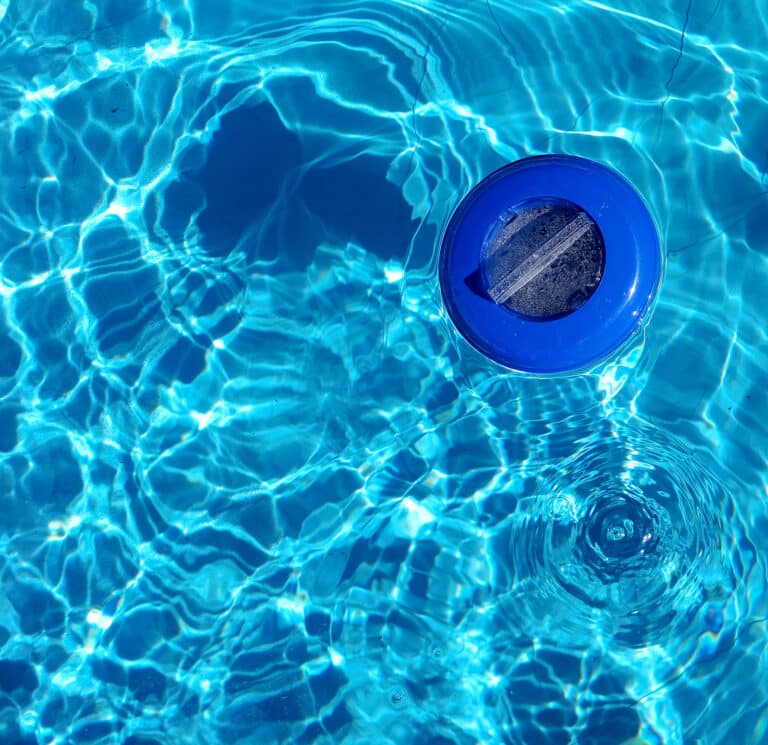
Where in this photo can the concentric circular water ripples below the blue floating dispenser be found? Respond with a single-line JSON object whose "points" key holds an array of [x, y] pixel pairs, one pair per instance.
{"points": [[630, 541]]}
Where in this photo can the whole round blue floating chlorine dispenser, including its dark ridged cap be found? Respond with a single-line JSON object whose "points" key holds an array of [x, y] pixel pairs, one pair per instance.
{"points": [[550, 264]]}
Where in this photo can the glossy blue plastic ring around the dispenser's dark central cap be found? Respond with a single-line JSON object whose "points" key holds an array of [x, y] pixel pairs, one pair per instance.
{"points": [[610, 316]]}
